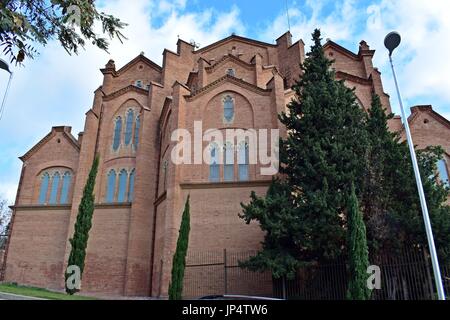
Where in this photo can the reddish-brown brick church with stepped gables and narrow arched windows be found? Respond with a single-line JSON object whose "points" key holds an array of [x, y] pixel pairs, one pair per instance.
{"points": [[140, 192]]}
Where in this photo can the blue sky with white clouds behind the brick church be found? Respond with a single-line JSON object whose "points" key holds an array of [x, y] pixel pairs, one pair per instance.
{"points": [[57, 89]]}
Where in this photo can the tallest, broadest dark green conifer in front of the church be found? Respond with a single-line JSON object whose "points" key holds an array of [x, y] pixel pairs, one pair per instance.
{"points": [[324, 152]]}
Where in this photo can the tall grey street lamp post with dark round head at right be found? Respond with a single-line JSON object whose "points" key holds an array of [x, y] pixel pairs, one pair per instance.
{"points": [[391, 42]]}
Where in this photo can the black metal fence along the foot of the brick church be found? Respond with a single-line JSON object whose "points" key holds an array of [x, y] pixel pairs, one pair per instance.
{"points": [[407, 275]]}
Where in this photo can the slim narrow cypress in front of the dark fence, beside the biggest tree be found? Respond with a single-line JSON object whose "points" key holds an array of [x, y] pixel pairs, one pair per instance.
{"points": [[358, 253]]}
